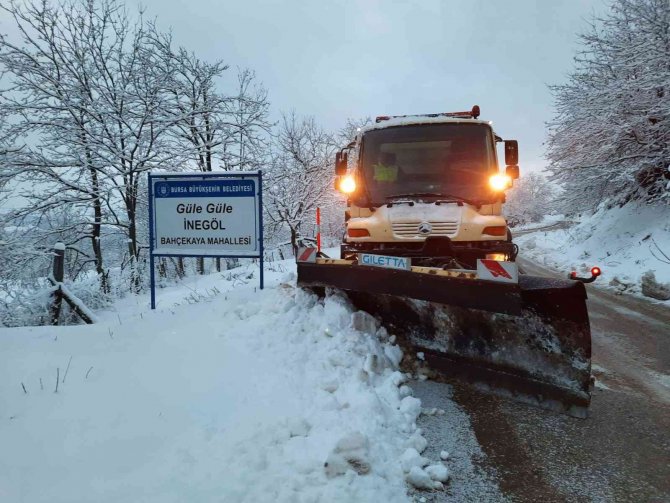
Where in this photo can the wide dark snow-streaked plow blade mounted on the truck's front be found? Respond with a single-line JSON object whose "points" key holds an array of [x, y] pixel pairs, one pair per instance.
{"points": [[530, 340]]}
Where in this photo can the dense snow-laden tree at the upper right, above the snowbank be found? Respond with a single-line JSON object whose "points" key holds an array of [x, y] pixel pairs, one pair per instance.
{"points": [[610, 139]]}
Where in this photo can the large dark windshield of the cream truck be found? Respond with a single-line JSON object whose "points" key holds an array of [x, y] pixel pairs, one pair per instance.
{"points": [[430, 161]]}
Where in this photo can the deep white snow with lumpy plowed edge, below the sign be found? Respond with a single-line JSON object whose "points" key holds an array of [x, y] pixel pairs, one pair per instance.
{"points": [[224, 393]]}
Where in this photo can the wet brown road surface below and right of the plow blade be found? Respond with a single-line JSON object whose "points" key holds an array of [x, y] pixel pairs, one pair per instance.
{"points": [[621, 452]]}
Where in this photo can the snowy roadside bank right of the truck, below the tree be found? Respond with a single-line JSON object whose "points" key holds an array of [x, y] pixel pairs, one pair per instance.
{"points": [[624, 242]]}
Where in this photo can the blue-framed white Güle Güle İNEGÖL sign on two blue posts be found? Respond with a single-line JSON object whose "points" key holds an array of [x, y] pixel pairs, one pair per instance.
{"points": [[217, 215]]}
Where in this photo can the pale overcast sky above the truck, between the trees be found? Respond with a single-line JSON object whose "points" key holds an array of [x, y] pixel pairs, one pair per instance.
{"points": [[356, 58]]}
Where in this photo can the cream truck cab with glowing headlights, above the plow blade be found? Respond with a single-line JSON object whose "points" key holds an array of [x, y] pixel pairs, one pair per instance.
{"points": [[427, 186]]}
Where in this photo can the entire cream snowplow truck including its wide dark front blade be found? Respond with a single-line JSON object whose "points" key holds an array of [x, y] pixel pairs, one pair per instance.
{"points": [[428, 252]]}
